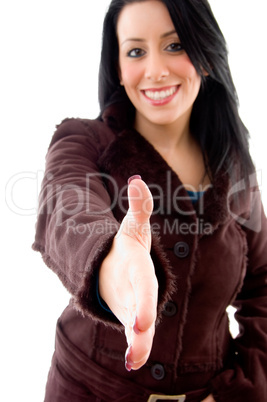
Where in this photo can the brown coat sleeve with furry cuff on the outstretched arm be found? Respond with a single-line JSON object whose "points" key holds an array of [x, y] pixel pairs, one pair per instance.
{"points": [[75, 225]]}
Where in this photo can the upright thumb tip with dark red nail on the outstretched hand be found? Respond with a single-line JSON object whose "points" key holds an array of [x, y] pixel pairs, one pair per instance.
{"points": [[140, 200]]}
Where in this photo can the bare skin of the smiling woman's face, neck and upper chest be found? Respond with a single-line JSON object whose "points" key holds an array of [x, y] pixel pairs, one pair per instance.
{"points": [[162, 85]]}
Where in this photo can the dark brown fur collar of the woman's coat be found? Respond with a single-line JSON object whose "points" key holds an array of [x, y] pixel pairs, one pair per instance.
{"points": [[130, 153]]}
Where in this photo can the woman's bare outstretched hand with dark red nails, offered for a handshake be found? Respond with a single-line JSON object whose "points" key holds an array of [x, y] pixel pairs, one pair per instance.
{"points": [[127, 280]]}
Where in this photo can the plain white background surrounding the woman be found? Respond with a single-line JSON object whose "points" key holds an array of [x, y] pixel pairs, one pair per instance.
{"points": [[49, 65]]}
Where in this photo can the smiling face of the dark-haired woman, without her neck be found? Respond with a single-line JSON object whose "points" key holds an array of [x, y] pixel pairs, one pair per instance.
{"points": [[157, 74]]}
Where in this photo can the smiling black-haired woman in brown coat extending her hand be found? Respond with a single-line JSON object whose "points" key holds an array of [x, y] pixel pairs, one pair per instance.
{"points": [[162, 262]]}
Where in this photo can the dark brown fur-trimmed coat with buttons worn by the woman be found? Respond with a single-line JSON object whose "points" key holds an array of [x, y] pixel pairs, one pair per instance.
{"points": [[207, 256]]}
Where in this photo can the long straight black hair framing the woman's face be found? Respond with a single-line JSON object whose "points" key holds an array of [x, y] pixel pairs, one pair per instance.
{"points": [[215, 120]]}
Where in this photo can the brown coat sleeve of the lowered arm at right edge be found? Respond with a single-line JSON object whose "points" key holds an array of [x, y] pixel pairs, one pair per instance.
{"points": [[247, 380]]}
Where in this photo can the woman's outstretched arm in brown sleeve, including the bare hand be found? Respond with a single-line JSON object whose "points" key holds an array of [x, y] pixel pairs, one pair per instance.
{"points": [[75, 234]]}
